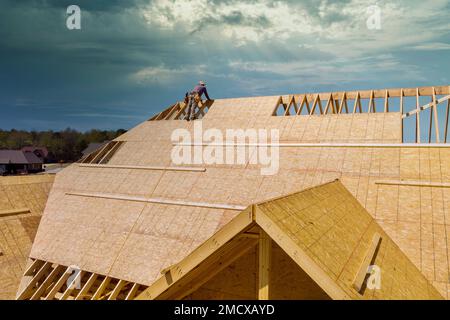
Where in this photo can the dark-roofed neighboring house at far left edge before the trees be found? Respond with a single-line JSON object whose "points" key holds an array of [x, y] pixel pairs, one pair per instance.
{"points": [[17, 161]]}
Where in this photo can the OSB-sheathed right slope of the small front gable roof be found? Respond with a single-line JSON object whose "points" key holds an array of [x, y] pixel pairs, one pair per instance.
{"points": [[333, 229]]}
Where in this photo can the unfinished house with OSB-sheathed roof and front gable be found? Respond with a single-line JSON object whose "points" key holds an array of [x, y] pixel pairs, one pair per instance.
{"points": [[357, 208]]}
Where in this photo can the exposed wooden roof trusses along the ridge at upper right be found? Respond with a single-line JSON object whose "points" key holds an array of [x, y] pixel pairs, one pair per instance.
{"points": [[407, 102]]}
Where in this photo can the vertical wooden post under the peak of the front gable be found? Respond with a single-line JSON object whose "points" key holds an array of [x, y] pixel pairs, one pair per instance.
{"points": [[265, 249]]}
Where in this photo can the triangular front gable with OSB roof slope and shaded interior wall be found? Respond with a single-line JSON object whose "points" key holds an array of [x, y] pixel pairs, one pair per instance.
{"points": [[321, 237]]}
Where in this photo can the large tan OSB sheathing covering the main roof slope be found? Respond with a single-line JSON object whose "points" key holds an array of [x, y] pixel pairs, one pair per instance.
{"points": [[149, 144]]}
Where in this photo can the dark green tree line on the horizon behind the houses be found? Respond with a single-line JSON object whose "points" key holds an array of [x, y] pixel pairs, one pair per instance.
{"points": [[63, 145]]}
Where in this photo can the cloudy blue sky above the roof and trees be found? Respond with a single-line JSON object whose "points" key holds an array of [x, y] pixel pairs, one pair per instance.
{"points": [[132, 58]]}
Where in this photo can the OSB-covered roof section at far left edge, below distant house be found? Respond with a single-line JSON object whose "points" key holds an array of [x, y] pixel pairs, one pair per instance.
{"points": [[18, 231]]}
